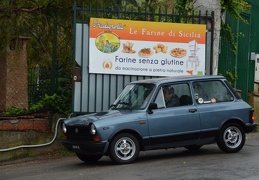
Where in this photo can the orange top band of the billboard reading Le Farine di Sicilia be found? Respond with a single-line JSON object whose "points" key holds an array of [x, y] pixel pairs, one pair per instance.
{"points": [[148, 31]]}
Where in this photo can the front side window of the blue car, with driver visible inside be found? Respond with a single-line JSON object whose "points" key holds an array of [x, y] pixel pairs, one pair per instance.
{"points": [[174, 95]]}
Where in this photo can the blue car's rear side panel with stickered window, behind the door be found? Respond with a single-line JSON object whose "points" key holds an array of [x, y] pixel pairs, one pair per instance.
{"points": [[215, 104]]}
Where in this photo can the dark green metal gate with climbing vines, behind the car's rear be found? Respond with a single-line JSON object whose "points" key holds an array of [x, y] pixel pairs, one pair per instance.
{"points": [[234, 58]]}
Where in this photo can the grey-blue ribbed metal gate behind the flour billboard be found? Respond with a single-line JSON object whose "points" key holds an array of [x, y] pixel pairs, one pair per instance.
{"points": [[96, 92]]}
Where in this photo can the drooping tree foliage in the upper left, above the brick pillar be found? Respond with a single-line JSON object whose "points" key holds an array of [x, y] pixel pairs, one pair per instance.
{"points": [[37, 19]]}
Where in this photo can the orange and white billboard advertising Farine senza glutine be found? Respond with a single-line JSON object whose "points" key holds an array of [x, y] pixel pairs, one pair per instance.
{"points": [[146, 48]]}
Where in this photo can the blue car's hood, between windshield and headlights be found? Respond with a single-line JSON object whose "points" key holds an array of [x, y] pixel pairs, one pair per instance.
{"points": [[88, 118]]}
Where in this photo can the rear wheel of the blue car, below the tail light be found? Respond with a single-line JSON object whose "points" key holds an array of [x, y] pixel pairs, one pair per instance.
{"points": [[231, 138]]}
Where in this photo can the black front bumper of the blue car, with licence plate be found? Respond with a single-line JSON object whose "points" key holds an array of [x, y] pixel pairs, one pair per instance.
{"points": [[89, 148]]}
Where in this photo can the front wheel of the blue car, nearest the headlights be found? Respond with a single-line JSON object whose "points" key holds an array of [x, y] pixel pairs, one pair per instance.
{"points": [[124, 149]]}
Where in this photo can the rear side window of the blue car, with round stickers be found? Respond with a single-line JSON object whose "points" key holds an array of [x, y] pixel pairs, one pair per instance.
{"points": [[211, 92]]}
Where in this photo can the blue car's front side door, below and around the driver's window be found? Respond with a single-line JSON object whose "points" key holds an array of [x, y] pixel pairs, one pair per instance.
{"points": [[174, 126]]}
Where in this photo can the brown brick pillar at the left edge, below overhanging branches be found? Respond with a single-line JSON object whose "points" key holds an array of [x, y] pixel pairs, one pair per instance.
{"points": [[14, 77]]}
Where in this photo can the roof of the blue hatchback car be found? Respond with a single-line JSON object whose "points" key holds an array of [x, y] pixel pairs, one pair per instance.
{"points": [[169, 79]]}
